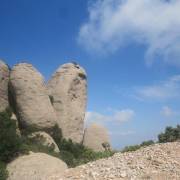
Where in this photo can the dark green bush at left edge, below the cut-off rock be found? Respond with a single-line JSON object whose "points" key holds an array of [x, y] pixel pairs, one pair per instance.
{"points": [[10, 142]]}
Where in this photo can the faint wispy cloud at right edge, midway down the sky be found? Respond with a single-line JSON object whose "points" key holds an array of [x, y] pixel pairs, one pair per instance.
{"points": [[164, 90]]}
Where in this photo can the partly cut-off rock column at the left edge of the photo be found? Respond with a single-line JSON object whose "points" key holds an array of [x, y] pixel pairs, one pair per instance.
{"points": [[4, 79]]}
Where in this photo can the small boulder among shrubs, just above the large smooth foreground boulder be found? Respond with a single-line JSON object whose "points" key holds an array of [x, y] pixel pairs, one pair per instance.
{"points": [[45, 139]]}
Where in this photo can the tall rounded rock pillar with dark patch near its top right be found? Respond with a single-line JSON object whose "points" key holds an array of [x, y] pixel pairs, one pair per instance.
{"points": [[67, 89]]}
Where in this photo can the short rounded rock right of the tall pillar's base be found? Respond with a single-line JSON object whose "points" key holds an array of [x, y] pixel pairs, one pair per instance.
{"points": [[95, 136]]}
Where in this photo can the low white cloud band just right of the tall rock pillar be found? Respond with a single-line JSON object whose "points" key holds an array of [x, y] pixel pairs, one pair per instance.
{"points": [[117, 116]]}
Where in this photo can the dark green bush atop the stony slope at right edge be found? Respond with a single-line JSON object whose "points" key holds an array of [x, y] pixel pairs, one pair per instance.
{"points": [[171, 134]]}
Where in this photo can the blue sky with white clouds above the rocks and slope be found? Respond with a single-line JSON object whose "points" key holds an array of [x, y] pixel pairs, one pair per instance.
{"points": [[130, 50]]}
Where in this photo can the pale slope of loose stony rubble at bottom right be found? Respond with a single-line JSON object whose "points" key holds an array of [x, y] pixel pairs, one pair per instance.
{"points": [[156, 162]]}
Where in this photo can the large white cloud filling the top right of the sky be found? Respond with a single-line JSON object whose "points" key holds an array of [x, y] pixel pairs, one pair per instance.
{"points": [[114, 23]]}
